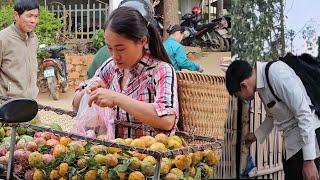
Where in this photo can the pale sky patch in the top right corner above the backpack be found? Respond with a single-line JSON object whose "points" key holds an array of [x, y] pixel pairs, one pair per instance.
{"points": [[299, 14]]}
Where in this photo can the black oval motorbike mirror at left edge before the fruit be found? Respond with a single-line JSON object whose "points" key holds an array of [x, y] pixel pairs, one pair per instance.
{"points": [[18, 110]]}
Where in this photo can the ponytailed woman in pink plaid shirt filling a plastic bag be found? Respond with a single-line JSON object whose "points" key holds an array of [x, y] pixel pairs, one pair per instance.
{"points": [[139, 84]]}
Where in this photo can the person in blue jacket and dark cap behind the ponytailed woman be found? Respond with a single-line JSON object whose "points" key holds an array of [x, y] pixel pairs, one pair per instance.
{"points": [[176, 50]]}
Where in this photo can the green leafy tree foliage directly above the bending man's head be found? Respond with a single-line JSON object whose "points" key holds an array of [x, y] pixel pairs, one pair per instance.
{"points": [[256, 29]]}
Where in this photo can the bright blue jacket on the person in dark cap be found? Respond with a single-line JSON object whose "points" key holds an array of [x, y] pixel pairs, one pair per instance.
{"points": [[178, 55]]}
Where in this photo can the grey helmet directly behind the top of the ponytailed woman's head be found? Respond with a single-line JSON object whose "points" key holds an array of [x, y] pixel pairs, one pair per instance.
{"points": [[142, 6]]}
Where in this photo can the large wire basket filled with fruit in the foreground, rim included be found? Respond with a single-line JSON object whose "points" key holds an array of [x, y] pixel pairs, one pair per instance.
{"points": [[46, 153]]}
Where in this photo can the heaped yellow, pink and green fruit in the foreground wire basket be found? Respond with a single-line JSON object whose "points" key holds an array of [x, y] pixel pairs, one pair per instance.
{"points": [[44, 155]]}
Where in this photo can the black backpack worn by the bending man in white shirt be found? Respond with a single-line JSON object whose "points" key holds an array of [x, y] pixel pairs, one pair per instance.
{"points": [[308, 69]]}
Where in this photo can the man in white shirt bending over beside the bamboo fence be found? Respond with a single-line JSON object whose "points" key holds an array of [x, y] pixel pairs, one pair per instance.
{"points": [[292, 115]]}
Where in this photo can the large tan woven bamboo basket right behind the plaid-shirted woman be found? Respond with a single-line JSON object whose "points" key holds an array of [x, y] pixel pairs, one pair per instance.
{"points": [[203, 101]]}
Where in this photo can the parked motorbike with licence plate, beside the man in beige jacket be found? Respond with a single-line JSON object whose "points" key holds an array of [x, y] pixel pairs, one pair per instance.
{"points": [[55, 70]]}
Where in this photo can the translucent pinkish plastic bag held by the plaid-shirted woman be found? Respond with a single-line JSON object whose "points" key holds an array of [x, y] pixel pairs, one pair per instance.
{"points": [[94, 121]]}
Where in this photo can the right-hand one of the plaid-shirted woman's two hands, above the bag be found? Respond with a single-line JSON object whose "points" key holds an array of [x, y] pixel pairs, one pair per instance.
{"points": [[102, 97]]}
